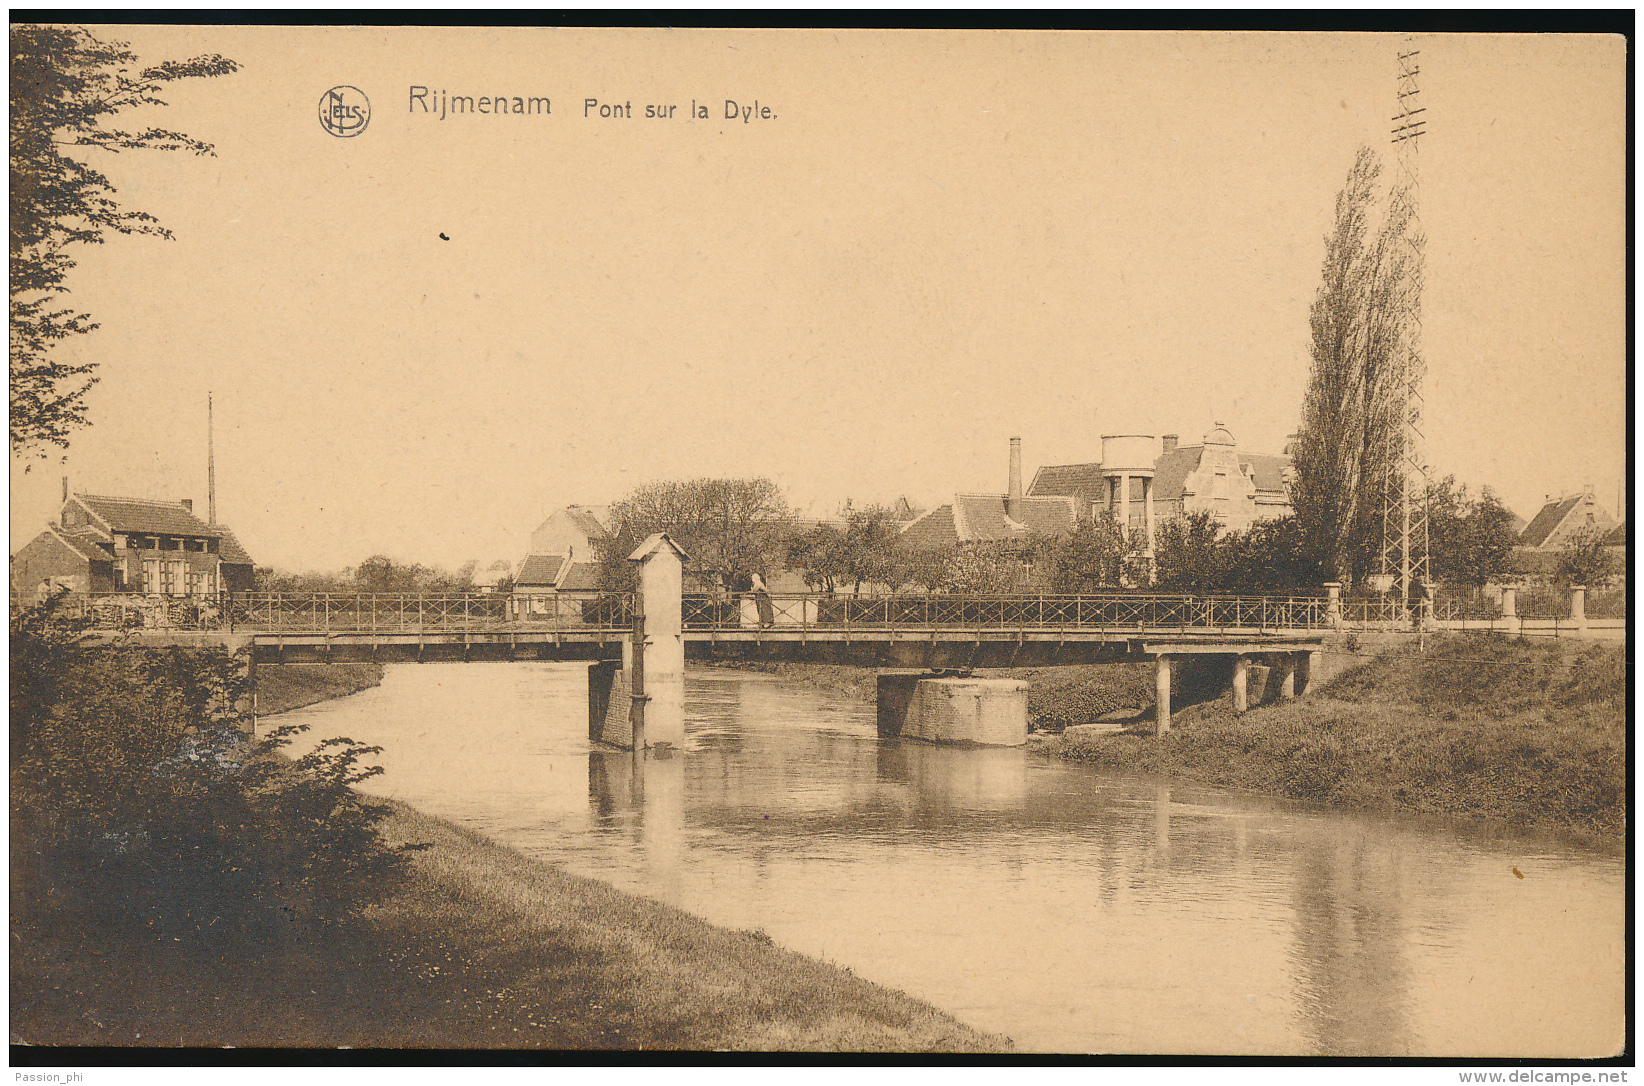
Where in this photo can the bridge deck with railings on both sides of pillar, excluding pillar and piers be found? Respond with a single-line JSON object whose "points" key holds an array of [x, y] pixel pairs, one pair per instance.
{"points": [[889, 632]]}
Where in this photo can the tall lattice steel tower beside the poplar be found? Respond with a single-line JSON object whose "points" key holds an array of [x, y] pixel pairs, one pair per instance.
{"points": [[1405, 545]]}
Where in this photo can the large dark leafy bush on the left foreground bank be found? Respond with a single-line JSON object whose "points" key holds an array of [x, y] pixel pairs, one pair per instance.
{"points": [[137, 788]]}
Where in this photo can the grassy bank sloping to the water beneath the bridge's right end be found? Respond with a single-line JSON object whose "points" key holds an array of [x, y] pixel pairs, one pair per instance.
{"points": [[1480, 727]]}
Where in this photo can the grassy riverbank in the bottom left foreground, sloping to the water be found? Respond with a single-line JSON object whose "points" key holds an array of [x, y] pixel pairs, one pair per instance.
{"points": [[481, 949]]}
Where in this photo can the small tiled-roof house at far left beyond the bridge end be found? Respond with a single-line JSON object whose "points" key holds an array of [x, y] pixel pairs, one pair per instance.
{"points": [[103, 545]]}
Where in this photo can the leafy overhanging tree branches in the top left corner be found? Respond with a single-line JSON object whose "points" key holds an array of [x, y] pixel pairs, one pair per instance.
{"points": [[65, 86]]}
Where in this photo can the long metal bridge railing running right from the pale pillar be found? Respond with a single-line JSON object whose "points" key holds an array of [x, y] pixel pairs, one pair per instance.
{"points": [[1005, 612]]}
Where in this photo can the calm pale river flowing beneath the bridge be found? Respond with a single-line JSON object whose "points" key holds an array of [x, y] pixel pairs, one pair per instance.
{"points": [[1066, 908]]}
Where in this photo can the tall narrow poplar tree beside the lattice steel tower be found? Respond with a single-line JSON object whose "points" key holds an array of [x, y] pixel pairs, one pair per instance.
{"points": [[1364, 354]]}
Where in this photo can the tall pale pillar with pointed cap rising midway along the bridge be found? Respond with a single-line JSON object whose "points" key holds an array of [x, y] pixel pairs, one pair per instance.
{"points": [[660, 645]]}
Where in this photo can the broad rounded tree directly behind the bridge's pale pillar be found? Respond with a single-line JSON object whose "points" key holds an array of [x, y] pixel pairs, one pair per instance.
{"points": [[729, 527]]}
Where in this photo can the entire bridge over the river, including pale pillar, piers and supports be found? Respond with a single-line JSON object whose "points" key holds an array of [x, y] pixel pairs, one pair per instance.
{"points": [[637, 643]]}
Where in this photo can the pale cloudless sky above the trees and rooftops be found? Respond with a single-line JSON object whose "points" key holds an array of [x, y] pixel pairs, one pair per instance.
{"points": [[427, 338]]}
